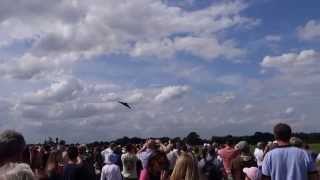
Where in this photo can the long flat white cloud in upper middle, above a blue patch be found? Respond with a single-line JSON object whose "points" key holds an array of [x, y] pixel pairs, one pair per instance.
{"points": [[208, 48]]}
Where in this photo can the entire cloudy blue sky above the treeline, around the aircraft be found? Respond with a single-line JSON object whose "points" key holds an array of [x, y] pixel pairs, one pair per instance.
{"points": [[216, 67]]}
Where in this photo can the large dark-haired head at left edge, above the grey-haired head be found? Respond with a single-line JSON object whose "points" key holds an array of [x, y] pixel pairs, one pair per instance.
{"points": [[12, 145]]}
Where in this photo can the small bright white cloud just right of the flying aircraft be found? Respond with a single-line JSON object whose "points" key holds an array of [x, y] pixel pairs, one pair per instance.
{"points": [[171, 92]]}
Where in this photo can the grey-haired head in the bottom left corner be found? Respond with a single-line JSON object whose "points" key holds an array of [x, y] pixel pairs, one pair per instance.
{"points": [[13, 171]]}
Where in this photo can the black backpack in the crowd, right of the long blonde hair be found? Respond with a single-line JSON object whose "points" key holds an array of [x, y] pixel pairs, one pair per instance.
{"points": [[213, 169]]}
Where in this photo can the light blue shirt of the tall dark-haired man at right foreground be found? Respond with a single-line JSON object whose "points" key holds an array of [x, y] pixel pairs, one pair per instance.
{"points": [[288, 163]]}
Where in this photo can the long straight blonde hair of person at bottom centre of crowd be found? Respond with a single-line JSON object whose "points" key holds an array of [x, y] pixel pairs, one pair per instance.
{"points": [[186, 168]]}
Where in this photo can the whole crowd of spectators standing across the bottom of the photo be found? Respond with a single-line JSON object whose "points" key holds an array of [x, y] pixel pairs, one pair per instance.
{"points": [[286, 158]]}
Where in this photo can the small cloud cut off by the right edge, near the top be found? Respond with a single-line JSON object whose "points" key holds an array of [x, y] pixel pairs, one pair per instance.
{"points": [[310, 31]]}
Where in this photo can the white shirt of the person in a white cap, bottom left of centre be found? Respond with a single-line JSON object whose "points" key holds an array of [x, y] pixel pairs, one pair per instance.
{"points": [[110, 172]]}
